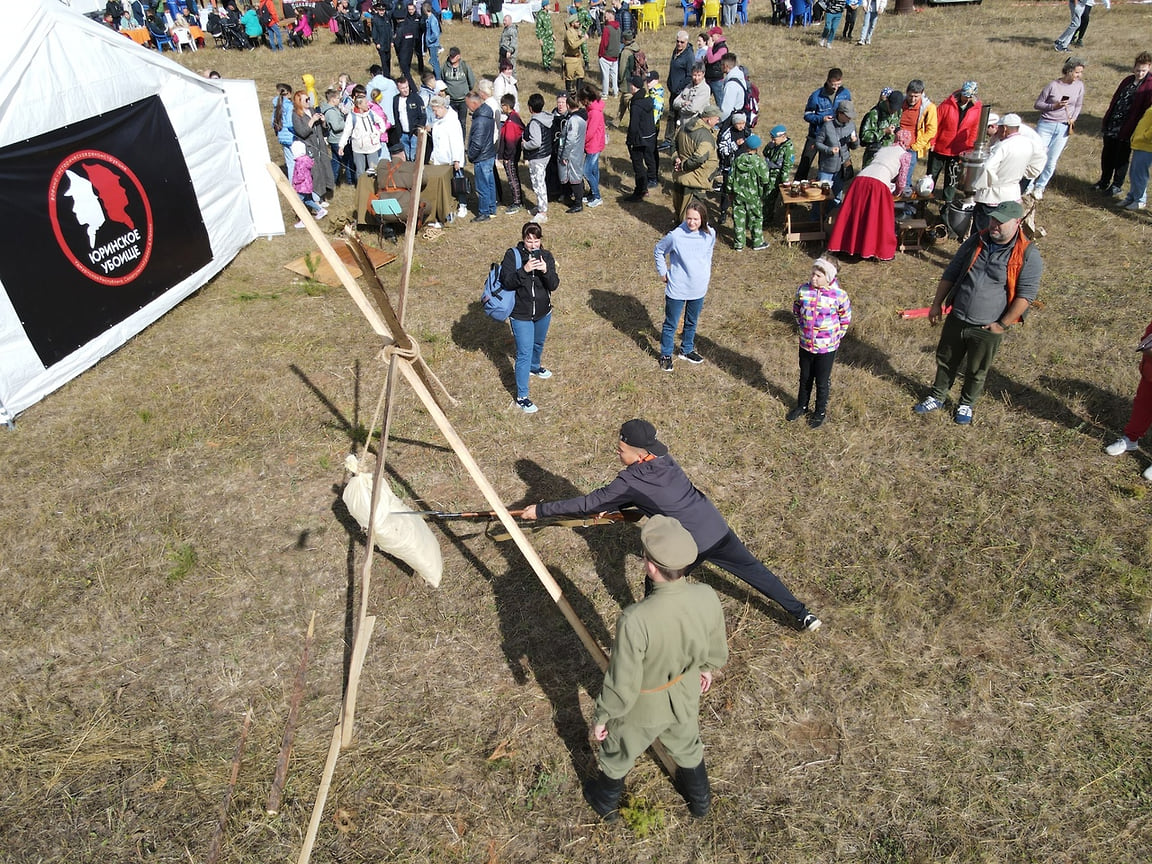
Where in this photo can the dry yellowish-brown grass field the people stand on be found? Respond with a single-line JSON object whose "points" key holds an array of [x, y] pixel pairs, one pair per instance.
{"points": [[981, 689]]}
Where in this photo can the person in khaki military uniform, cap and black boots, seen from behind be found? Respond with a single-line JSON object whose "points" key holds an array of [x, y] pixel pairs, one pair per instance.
{"points": [[668, 648]]}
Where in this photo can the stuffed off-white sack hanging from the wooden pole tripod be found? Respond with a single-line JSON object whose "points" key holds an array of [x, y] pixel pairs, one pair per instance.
{"points": [[405, 536]]}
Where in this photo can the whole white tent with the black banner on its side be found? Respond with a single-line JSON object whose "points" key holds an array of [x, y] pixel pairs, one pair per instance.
{"points": [[126, 184]]}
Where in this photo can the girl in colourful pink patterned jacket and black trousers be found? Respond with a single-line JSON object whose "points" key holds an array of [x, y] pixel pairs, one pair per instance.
{"points": [[823, 314]]}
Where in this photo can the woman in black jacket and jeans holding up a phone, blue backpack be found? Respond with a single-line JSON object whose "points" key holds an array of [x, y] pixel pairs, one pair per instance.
{"points": [[530, 270]]}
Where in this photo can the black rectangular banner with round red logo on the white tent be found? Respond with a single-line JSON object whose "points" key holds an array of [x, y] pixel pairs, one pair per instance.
{"points": [[97, 221]]}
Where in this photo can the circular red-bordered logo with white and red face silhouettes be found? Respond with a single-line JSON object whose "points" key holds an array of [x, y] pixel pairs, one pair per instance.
{"points": [[102, 217]]}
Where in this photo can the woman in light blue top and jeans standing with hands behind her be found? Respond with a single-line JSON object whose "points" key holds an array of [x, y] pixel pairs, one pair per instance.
{"points": [[684, 261]]}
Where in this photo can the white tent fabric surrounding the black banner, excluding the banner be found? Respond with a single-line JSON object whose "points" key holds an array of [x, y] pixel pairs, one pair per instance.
{"points": [[60, 69]]}
